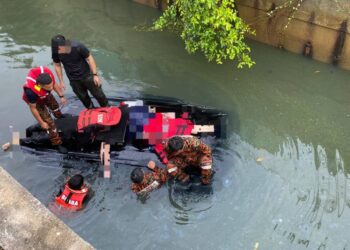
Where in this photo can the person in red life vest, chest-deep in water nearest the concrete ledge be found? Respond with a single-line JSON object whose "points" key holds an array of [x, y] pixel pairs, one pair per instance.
{"points": [[74, 195]]}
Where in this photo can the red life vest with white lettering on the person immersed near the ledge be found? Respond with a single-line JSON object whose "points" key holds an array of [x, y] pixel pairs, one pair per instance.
{"points": [[72, 199]]}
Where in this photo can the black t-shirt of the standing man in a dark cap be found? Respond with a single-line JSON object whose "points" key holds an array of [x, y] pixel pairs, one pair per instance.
{"points": [[74, 63]]}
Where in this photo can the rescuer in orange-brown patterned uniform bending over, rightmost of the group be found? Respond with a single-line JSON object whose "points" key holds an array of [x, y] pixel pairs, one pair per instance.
{"points": [[185, 151]]}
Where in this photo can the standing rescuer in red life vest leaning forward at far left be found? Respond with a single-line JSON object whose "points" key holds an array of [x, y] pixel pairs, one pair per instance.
{"points": [[40, 82]]}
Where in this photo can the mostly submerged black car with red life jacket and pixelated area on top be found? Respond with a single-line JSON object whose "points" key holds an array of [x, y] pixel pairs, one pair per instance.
{"points": [[131, 126]]}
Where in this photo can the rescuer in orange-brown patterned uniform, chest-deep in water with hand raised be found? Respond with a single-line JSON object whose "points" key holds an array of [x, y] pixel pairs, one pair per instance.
{"points": [[143, 183]]}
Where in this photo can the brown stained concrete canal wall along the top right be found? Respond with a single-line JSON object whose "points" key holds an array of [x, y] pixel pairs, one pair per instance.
{"points": [[318, 29]]}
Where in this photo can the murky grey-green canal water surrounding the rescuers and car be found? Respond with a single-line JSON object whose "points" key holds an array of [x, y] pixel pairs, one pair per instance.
{"points": [[291, 112]]}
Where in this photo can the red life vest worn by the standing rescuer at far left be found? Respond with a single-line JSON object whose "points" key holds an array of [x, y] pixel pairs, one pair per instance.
{"points": [[36, 88]]}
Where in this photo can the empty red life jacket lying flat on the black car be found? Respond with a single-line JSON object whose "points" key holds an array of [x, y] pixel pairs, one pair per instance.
{"points": [[107, 116]]}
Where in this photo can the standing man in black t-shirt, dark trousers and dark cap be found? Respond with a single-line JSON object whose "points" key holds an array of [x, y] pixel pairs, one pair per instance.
{"points": [[80, 68]]}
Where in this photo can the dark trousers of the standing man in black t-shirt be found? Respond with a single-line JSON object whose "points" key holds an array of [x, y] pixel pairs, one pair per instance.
{"points": [[81, 88]]}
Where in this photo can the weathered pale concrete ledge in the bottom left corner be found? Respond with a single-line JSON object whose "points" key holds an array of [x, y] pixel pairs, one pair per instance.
{"points": [[27, 224]]}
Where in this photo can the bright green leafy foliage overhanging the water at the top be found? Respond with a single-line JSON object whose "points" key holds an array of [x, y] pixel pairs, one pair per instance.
{"points": [[210, 26]]}
